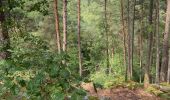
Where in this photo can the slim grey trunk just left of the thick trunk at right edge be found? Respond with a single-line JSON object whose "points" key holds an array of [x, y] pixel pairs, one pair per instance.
{"points": [[157, 42]]}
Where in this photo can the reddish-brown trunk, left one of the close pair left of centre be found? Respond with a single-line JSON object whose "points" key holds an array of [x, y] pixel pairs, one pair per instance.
{"points": [[57, 26]]}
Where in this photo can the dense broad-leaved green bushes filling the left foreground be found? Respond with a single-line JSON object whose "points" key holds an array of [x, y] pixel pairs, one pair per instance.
{"points": [[34, 72]]}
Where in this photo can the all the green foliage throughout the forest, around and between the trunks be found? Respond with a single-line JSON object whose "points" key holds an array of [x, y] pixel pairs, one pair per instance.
{"points": [[34, 69]]}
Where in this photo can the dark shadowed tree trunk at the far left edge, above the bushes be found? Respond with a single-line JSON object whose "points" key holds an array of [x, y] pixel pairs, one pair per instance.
{"points": [[4, 37]]}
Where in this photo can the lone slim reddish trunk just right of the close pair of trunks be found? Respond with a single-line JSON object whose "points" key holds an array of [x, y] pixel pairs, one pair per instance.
{"points": [[79, 41]]}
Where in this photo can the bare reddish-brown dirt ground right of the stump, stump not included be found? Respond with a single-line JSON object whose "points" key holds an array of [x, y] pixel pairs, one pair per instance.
{"points": [[125, 94]]}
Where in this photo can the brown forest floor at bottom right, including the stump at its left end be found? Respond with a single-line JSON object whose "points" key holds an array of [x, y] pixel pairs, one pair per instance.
{"points": [[120, 93]]}
